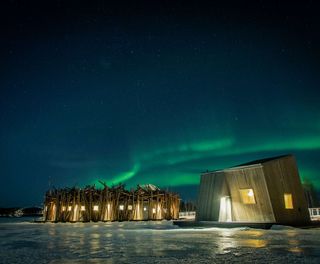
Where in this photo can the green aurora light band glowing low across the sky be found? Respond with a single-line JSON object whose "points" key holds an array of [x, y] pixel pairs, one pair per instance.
{"points": [[182, 164]]}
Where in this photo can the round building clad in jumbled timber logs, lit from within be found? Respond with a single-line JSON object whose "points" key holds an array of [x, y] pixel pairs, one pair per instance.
{"points": [[146, 202]]}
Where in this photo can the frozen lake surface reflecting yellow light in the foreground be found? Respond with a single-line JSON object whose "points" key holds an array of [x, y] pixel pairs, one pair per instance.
{"points": [[152, 242]]}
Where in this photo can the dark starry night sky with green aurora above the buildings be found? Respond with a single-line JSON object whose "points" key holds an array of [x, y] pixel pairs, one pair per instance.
{"points": [[153, 92]]}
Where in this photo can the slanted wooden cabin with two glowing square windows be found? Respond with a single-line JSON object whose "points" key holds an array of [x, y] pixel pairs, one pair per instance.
{"points": [[261, 191]]}
